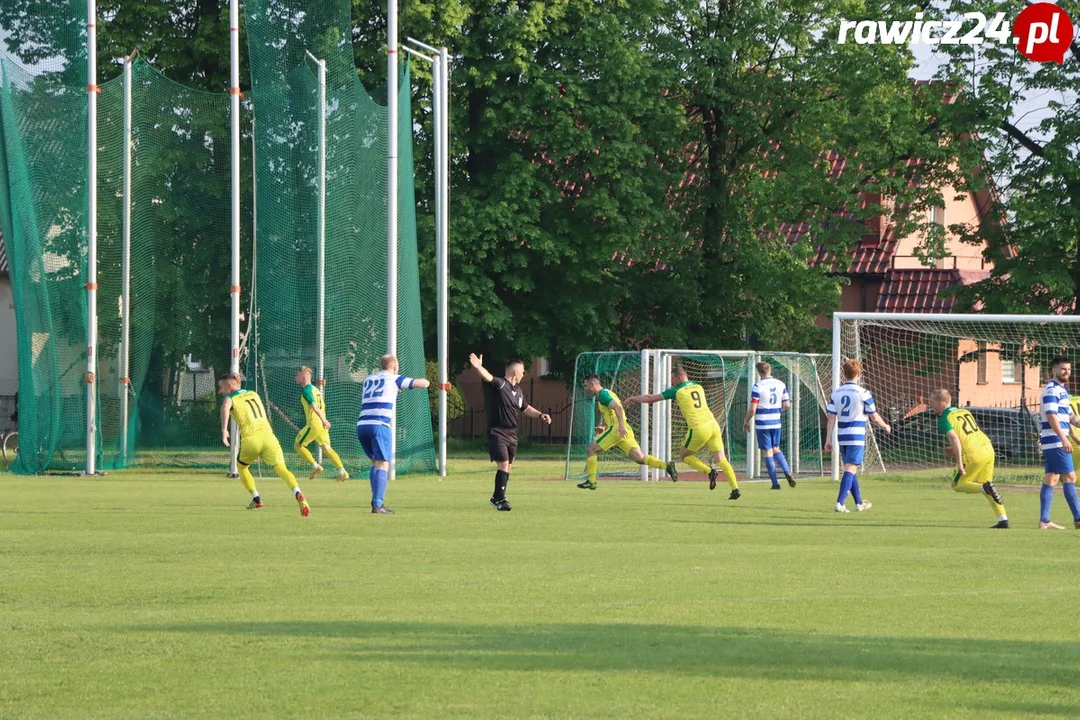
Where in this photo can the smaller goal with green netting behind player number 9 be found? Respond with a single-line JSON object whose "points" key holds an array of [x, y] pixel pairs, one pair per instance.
{"points": [[727, 378]]}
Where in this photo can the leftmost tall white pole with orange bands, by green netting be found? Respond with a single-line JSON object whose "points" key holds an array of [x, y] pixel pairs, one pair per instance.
{"points": [[91, 287]]}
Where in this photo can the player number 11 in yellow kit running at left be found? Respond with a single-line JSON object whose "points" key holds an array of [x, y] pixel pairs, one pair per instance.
{"points": [[256, 439]]}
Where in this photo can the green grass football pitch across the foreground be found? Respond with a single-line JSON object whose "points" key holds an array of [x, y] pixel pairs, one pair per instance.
{"points": [[158, 595]]}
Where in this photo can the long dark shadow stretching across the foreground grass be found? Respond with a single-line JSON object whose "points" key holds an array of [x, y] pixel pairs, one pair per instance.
{"points": [[712, 653]]}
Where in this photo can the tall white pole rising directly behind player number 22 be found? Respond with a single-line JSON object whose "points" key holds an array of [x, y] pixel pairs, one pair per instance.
{"points": [[393, 207]]}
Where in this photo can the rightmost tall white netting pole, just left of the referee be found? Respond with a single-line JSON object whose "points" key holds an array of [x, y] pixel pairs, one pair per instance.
{"points": [[443, 100]]}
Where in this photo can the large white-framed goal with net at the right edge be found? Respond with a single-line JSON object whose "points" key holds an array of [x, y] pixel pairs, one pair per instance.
{"points": [[994, 366]]}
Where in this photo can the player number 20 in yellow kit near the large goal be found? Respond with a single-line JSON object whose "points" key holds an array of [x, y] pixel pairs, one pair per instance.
{"points": [[973, 451]]}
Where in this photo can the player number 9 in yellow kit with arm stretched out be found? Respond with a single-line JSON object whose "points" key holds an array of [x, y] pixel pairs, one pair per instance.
{"points": [[703, 429]]}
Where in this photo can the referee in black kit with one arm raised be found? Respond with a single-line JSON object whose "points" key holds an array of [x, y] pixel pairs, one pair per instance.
{"points": [[504, 403]]}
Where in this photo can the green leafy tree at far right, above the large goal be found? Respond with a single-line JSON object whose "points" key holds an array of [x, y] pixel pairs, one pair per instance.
{"points": [[1029, 169]]}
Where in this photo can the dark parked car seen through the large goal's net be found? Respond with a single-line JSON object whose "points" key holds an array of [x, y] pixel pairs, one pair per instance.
{"points": [[1014, 432]]}
